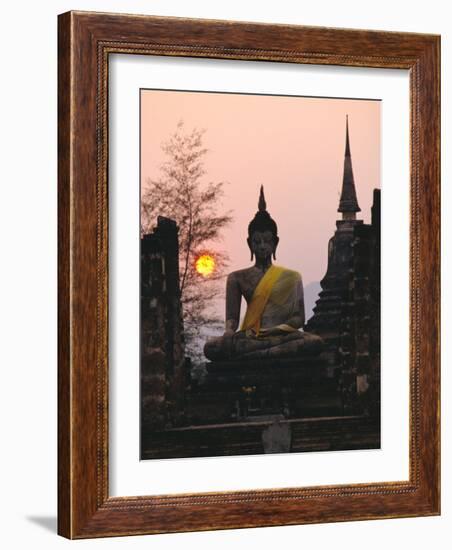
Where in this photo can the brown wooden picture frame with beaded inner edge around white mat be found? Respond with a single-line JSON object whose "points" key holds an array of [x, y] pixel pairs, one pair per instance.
{"points": [[85, 42]]}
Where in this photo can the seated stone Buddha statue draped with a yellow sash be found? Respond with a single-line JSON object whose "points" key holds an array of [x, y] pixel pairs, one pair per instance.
{"points": [[272, 326]]}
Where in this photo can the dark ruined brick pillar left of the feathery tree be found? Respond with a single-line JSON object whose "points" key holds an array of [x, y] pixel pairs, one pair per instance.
{"points": [[163, 362]]}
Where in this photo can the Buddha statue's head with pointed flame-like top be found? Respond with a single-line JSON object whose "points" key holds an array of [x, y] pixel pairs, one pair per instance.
{"points": [[262, 232]]}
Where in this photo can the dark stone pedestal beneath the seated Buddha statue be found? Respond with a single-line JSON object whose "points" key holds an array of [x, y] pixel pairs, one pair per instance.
{"points": [[239, 390]]}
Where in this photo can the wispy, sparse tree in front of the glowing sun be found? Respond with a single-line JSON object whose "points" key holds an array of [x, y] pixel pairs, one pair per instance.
{"points": [[183, 194]]}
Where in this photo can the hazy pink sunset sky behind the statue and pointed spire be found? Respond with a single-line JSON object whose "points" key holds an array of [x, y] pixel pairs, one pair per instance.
{"points": [[294, 146]]}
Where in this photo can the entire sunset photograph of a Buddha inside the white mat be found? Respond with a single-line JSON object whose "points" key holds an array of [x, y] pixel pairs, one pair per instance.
{"points": [[260, 273]]}
